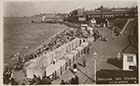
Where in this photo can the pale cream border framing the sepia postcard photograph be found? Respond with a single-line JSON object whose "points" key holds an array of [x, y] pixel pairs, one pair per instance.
{"points": [[1, 38]]}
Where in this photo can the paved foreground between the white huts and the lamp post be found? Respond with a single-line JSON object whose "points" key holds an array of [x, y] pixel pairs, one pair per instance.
{"points": [[85, 74]]}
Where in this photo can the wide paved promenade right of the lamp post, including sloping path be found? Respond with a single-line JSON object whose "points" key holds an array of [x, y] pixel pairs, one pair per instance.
{"points": [[110, 48]]}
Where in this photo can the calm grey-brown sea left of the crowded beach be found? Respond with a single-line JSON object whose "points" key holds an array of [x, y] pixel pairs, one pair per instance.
{"points": [[23, 37]]}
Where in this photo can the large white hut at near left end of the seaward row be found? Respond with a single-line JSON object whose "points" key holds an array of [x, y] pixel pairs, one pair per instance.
{"points": [[37, 66]]}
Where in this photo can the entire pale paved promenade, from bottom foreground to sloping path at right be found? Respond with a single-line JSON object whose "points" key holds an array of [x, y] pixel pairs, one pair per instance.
{"points": [[105, 50]]}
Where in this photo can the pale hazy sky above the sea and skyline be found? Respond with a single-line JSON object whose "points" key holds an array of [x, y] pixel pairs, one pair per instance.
{"points": [[30, 8]]}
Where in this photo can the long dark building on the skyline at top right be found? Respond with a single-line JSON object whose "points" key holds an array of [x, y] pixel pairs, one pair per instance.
{"points": [[108, 13]]}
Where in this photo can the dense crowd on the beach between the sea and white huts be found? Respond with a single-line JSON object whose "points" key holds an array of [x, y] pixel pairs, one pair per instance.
{"points": [[55, 42]]}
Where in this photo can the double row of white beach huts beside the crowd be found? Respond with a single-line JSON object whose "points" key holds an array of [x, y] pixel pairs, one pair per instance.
{"points": [[53, 64]]}
